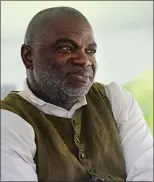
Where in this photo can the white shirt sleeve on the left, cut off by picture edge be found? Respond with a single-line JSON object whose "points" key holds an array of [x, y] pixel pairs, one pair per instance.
{"points": [[17, 149]]}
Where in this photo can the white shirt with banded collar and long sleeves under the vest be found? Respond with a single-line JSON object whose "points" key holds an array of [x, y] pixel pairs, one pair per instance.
{"points": [[18, 144]]}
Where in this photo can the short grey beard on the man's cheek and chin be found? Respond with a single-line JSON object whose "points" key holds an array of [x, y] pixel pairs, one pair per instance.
{"points": [[54, 86]]}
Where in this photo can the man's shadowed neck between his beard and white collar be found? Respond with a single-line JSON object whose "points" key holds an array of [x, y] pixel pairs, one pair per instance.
{"points": [[56, 98]]}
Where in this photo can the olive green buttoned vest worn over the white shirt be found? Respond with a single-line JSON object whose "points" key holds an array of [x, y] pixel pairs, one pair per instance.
{"points": [[69, 149]]}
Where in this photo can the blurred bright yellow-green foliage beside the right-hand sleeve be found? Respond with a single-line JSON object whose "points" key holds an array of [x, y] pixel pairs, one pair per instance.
{"points": [[142, 89]]}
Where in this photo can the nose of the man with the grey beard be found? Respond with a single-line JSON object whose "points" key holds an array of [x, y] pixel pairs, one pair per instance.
{"points": [[82, 59]]}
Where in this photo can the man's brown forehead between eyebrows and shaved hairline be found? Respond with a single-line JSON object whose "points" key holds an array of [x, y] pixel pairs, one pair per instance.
{"points": [[77, 30]]}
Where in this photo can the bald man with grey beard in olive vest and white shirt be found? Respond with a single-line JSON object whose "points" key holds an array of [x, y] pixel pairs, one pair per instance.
{"points": [[63, 126]]}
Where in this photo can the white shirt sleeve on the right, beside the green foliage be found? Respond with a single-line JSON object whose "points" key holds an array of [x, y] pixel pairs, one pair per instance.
{"points": [[136, 139]]}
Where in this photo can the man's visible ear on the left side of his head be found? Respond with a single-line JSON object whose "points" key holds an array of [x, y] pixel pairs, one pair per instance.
{"points": [[26, 54]]}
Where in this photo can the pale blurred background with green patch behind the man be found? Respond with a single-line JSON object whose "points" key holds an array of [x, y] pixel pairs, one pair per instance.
{"points": [[124, 34]]}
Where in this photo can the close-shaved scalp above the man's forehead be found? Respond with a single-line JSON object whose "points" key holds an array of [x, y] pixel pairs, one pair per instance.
{"points": [[49, 18]]}
